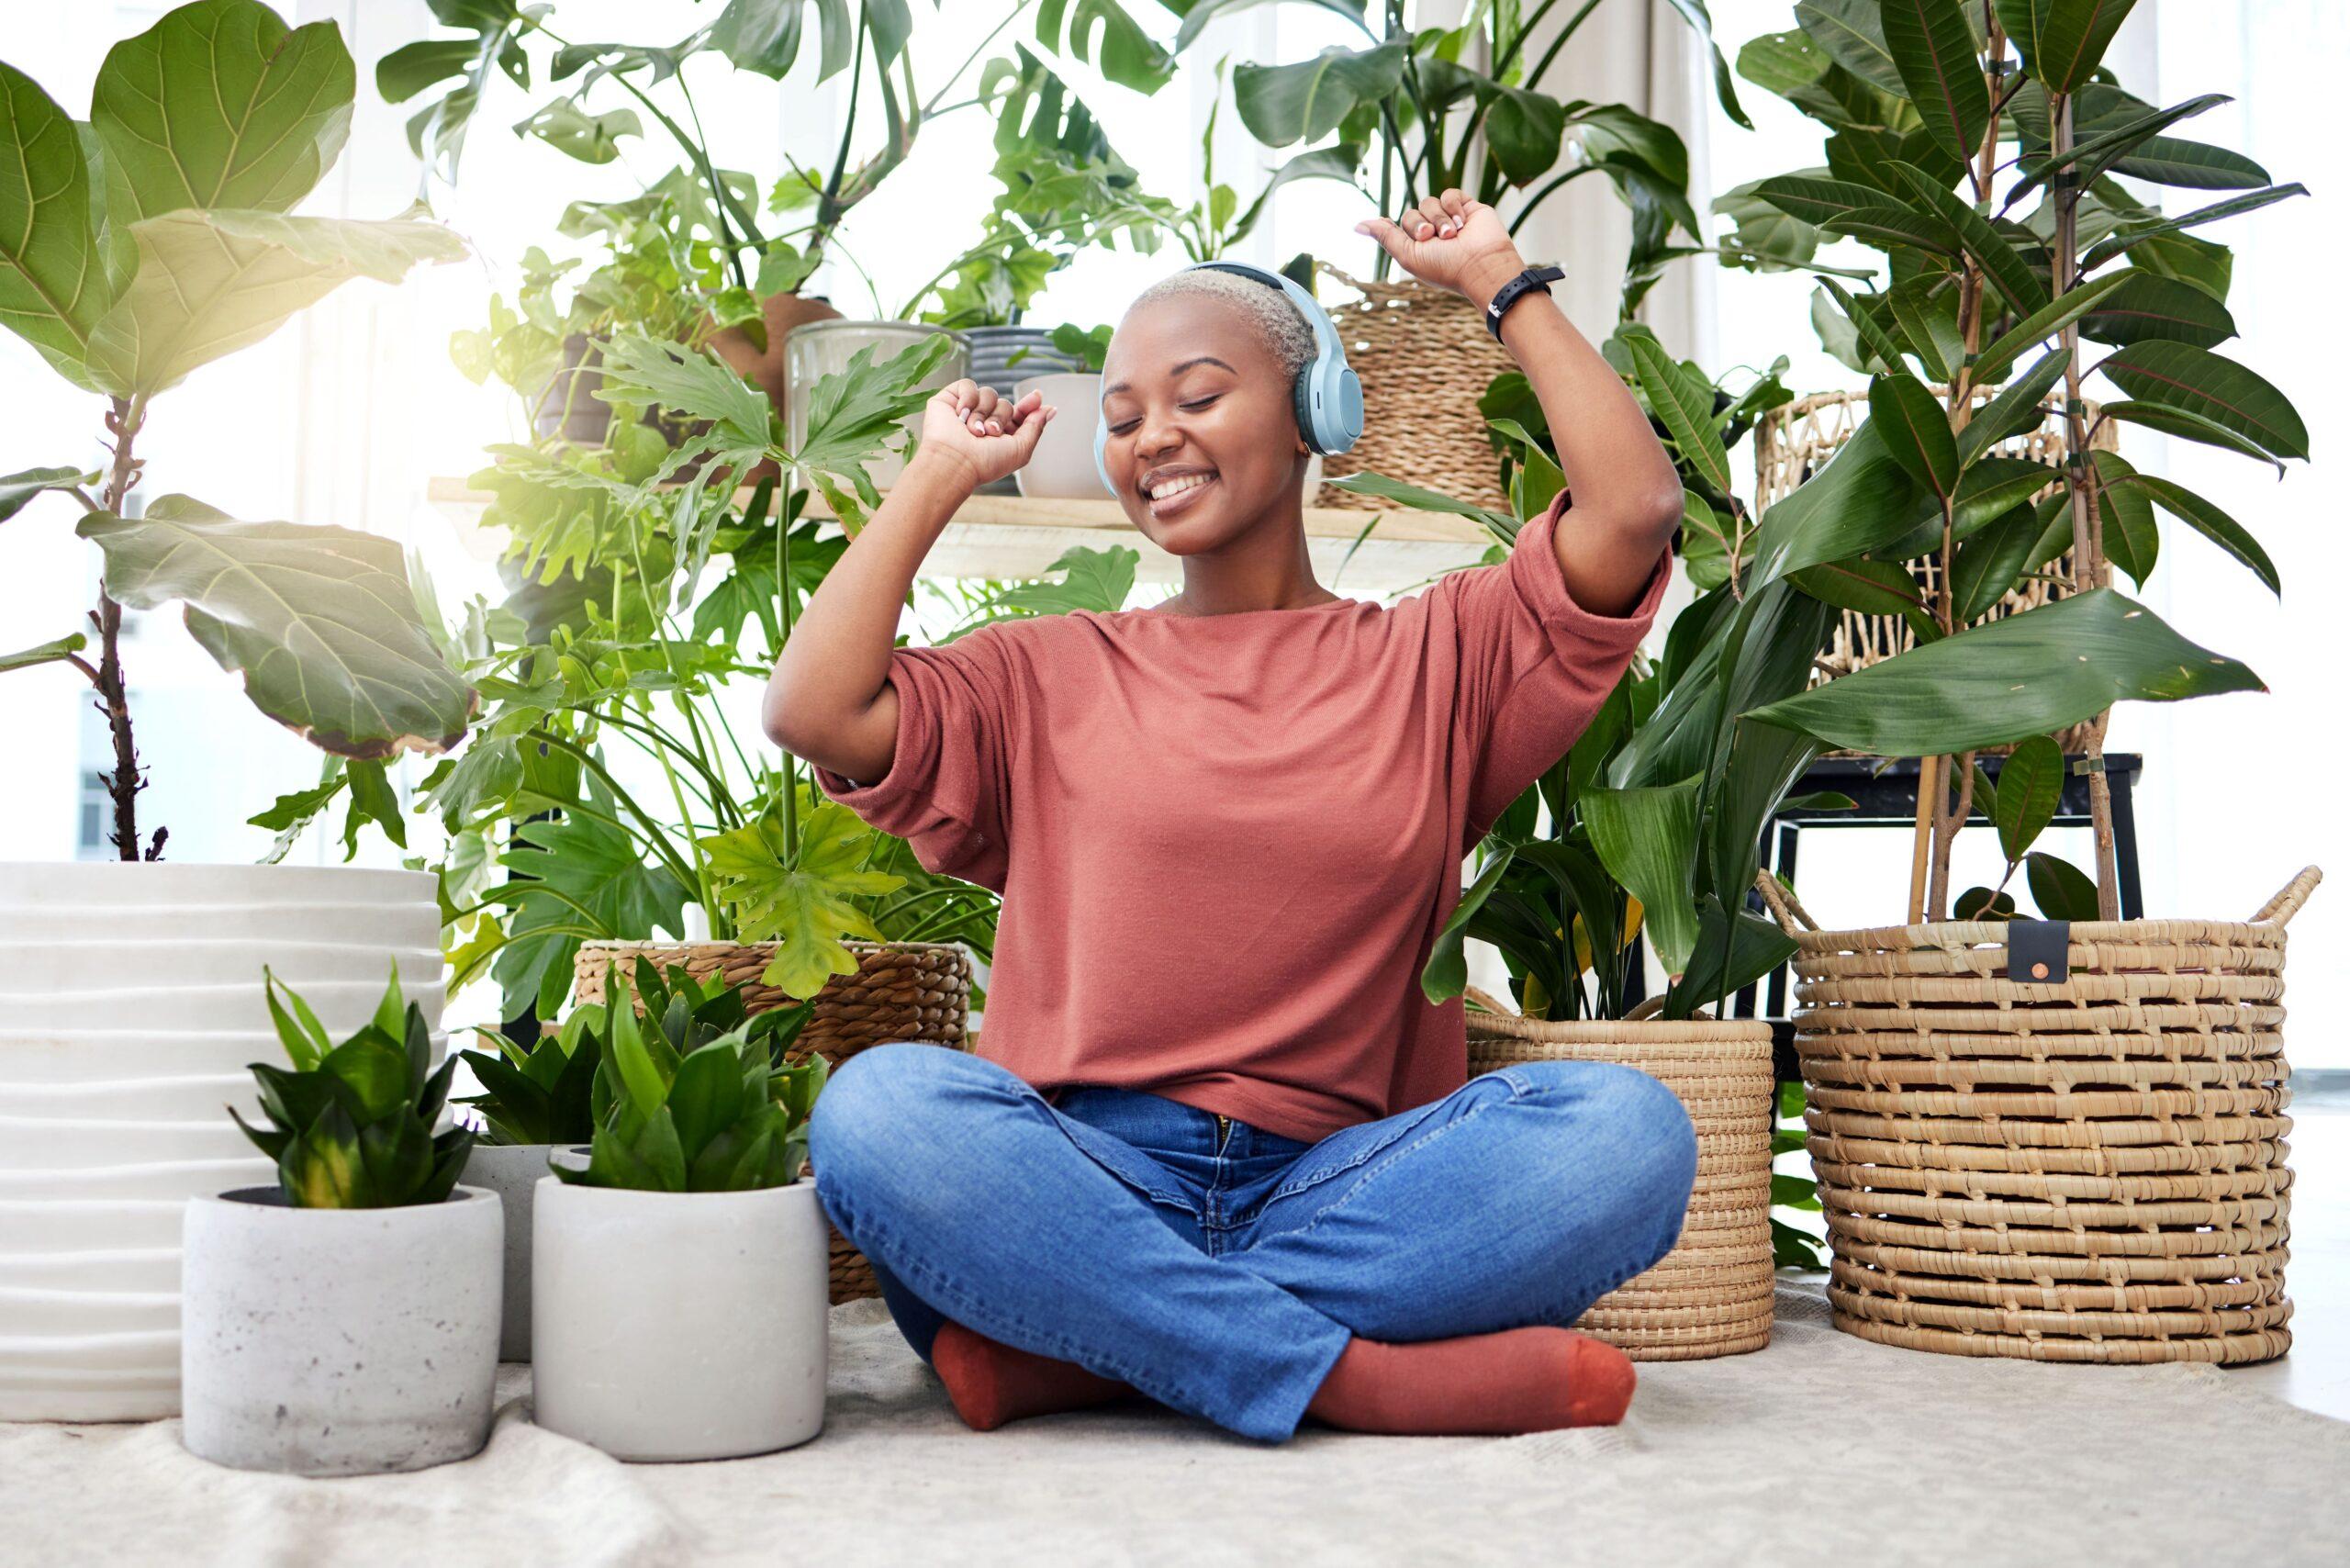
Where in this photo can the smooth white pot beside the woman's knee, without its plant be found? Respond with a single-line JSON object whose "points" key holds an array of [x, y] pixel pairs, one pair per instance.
{"points": [[680, 1325]]}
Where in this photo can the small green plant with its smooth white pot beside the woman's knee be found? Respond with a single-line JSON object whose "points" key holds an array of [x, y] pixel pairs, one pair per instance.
{"points": [[680, 1278]]}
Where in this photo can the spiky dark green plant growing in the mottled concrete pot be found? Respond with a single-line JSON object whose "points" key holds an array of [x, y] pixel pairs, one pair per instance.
{"points": [[351, 1125]]}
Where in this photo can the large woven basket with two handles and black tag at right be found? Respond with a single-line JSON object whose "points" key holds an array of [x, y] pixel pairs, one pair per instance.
{"points": [[2083, 1170]]}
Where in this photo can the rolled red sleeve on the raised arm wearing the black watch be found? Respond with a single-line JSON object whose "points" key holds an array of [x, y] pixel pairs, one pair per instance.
{"points": [[1536, 664]]}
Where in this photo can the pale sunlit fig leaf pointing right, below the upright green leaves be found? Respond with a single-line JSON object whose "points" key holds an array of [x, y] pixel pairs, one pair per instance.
{"points": [[217, 281]]}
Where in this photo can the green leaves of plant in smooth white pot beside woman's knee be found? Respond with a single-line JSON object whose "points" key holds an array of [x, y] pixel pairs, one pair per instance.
{"points": [[690, 1094]]}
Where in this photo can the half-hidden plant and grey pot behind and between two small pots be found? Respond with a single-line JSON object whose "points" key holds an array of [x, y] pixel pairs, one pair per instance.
{"points": [[535, 1101]]}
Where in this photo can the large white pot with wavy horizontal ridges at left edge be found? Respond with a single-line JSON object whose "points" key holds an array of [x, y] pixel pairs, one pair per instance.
{"points": [[130, 1005]]}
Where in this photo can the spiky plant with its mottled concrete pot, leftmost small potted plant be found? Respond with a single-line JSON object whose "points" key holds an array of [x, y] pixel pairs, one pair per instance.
{"points": [[344, 1320]]}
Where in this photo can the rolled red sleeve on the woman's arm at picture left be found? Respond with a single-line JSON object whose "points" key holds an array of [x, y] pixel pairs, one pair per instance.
{"points": [[948, 784]]}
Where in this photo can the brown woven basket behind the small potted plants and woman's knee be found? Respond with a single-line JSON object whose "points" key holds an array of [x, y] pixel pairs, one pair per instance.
{"points": [[901, 991]]}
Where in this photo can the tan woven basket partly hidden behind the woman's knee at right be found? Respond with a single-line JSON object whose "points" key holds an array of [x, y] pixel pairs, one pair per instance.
{"points": [[1712, 1296]]}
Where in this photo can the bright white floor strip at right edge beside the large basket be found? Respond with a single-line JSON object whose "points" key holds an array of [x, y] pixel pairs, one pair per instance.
{"points": [[2316, 1374]]}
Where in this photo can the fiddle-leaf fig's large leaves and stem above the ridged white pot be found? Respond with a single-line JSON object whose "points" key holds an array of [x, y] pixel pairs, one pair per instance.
{"points": [[142, 246]]}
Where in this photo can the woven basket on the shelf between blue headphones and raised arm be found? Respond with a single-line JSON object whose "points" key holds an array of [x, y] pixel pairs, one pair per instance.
{"points": [[1425, 361]]}
